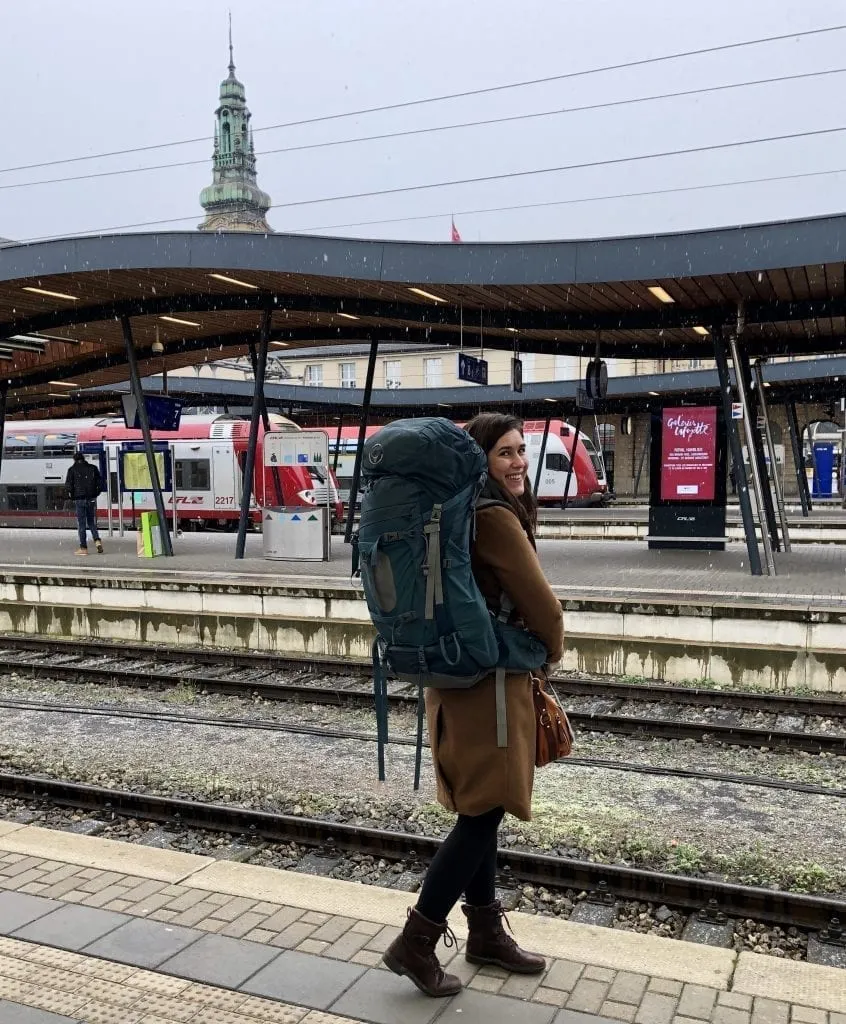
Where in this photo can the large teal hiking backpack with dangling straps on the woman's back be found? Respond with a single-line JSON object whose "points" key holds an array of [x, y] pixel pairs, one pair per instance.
{"points": [[421, 481]]}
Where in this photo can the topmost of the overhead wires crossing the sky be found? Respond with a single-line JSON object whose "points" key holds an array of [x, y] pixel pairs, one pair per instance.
{"points": [[486, 91]]}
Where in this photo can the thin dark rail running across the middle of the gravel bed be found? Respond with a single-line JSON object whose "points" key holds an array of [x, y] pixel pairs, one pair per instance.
{"points": [[326, 734]]}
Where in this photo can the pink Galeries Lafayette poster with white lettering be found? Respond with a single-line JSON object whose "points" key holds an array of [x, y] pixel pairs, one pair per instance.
{"points": [[689, 464]]}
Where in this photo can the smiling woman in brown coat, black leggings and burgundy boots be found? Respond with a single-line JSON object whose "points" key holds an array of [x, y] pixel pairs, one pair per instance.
{"points": [[476, 778]]}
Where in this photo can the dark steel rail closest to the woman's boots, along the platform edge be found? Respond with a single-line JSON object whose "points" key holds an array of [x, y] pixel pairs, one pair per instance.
{"points": [[613, 881]]}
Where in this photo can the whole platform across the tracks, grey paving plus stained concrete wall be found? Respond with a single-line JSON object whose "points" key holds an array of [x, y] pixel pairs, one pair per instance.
{"points": [[669, 616]]}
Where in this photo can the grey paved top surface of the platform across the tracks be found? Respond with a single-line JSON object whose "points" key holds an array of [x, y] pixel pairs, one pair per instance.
{"points": [[811, 574]]}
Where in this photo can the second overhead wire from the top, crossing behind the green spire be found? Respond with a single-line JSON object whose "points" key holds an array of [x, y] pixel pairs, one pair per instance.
{"points": [[406, 134]]}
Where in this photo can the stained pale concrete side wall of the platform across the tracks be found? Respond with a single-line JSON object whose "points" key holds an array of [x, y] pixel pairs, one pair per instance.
{"points": [[756, 644]]}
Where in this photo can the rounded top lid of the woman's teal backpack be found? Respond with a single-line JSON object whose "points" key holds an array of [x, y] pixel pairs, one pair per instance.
{"points": [[432, 452]]}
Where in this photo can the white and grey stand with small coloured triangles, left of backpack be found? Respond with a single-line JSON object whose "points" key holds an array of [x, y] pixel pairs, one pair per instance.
{"points": [[299, 533]]}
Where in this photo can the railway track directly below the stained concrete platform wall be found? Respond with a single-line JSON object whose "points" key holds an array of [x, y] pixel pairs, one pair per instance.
{"points": [[257, 673]]}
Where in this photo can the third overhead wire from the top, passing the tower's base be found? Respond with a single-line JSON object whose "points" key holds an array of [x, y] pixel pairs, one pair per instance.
{"points": [[509, 176]]}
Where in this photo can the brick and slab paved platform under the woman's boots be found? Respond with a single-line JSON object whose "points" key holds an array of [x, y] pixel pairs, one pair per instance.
{"points": [[103, 932]]}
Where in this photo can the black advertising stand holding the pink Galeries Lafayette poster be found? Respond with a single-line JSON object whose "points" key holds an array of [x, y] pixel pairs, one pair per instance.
{"points": [[688, 492]]}
